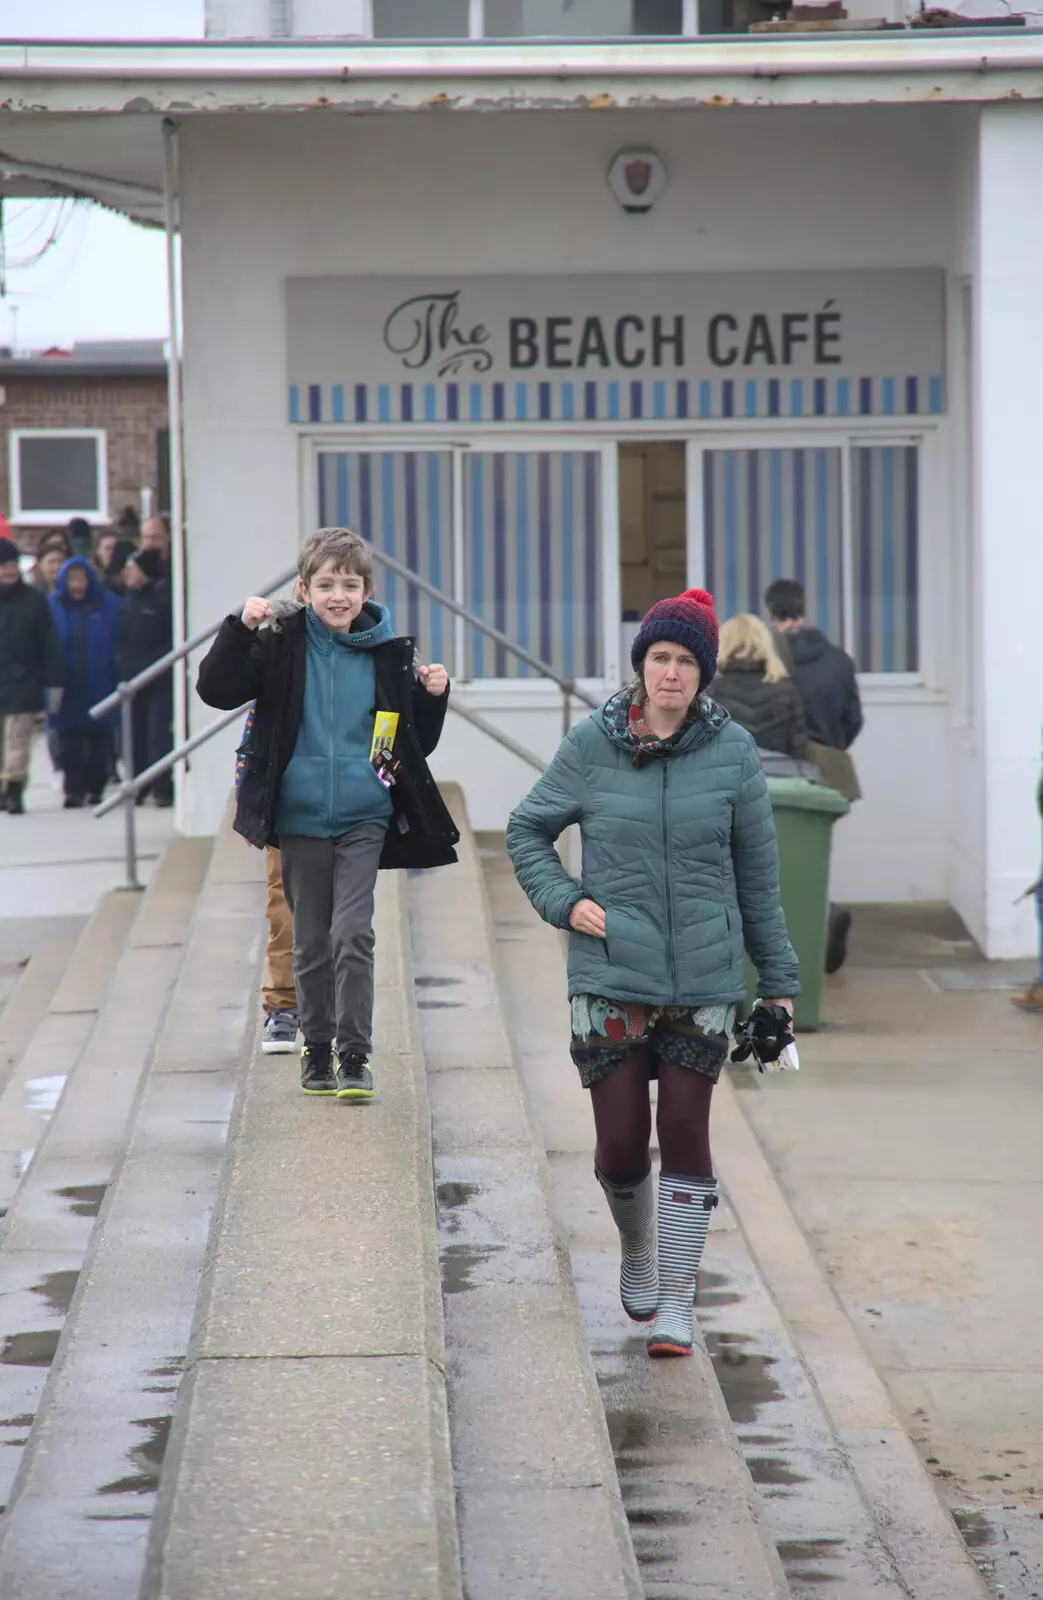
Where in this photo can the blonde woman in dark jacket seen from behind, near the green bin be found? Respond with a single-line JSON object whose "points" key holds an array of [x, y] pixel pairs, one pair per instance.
{"points": [[756, 689]]}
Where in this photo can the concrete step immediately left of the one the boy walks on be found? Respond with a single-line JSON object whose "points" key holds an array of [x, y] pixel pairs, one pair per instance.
{"points": [[97, 1454]]}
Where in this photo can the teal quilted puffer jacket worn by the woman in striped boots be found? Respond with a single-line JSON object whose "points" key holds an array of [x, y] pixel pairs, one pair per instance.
{"points": [[681, 852]]}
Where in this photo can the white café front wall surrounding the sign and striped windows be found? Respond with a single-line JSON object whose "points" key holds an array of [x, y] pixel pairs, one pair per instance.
{"points": [[749, 191]]}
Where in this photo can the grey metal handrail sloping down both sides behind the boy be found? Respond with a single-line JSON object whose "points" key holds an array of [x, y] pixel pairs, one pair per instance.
{"points": [[126, 694]]}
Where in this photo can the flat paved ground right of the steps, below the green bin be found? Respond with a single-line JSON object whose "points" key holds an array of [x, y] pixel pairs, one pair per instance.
{"points": [[909, 1150]]}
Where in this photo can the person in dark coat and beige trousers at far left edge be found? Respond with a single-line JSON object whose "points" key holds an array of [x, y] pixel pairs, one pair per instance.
{"points": [[31, 671]]}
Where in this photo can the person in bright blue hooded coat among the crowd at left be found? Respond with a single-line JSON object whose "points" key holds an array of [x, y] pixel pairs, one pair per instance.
{"points": [[86, 620]]}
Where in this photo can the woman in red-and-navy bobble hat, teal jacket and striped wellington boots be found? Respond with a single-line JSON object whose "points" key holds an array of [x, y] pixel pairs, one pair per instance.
{"points": [[679, 868]]}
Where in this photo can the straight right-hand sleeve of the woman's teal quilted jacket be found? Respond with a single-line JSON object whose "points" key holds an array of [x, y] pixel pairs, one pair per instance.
{"points": [[756, 858]]}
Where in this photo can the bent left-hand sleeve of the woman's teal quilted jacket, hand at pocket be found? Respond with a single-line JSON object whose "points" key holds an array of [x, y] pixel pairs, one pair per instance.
{"points": [[553, 806]]}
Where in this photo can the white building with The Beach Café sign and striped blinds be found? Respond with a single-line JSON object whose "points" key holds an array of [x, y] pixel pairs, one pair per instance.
{"points": [[567, 326]]}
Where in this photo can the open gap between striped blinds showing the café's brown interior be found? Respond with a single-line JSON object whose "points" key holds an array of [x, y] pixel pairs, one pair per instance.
{"points": [[653, 529]]}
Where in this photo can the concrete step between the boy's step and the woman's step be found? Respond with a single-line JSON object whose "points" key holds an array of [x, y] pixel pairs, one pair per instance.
{"points": [[537, 1492]]}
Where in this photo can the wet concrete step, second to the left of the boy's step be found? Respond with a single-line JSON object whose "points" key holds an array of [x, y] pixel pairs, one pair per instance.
{"points": [[100, 1030]]}
